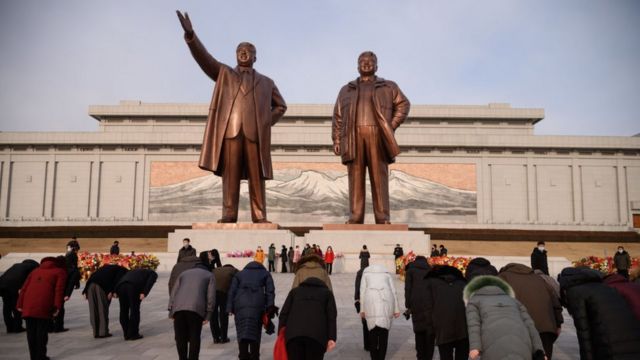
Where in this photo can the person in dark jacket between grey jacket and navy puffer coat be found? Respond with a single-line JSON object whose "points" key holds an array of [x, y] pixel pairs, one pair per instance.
{"points": [[220, 321]]}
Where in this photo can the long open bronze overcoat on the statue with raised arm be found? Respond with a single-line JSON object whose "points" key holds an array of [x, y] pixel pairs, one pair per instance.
{"points": [[269, 106]]}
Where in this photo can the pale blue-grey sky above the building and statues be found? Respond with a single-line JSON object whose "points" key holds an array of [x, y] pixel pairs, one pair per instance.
{"points": [[579, 60]]}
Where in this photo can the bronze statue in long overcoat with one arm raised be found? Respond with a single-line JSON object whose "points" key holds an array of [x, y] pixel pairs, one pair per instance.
{"points": [[237, 137]]}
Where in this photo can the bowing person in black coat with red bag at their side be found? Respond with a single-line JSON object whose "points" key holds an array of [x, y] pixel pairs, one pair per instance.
{"points": [[309, 314]]}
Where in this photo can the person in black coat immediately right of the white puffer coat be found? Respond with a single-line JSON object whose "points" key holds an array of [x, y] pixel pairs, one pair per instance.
{"points": [[416, 291]]}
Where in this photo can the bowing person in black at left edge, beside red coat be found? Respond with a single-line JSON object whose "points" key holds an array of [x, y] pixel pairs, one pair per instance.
{"points": [[10, 283]]}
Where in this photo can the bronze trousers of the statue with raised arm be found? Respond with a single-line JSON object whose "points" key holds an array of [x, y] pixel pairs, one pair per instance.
{"points": [[241, 155]]}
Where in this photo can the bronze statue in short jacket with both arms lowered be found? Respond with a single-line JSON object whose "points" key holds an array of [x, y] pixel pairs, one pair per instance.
{"points": [[365, 117]]}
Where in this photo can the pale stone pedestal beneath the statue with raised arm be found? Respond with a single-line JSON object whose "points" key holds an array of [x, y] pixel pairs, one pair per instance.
{"points": [[228, 239]]}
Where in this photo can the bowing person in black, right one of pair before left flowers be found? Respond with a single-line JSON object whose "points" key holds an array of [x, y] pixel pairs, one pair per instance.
{"points": [[132, 288]]}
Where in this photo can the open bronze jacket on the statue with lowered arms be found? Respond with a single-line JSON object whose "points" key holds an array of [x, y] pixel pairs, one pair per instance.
{"points": [[391, 108]]}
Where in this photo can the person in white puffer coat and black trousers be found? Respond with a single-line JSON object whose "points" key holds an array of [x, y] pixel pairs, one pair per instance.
{"points": [[378, 306]]}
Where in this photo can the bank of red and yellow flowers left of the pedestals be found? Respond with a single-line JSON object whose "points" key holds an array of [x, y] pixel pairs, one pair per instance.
{"points": [[88, 263]]}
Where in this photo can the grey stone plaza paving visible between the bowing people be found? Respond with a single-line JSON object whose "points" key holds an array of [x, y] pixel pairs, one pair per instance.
{"points": [[158, 342]]}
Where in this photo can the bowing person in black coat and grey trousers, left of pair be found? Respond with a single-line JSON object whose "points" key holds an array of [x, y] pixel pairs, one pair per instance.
{"points": [[99, 290]]}
